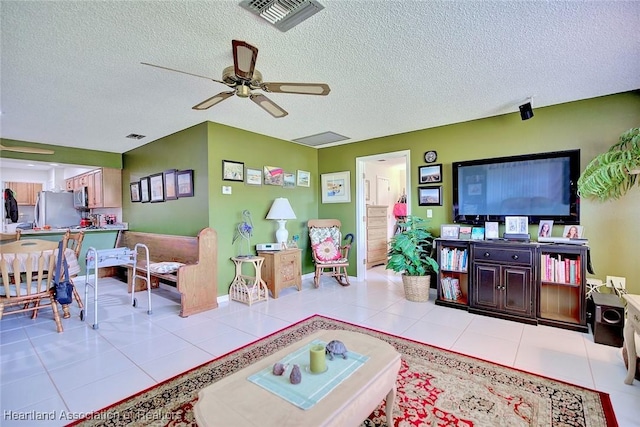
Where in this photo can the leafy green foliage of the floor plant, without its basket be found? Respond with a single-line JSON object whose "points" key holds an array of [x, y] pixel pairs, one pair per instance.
{"points": [[410, 250]]}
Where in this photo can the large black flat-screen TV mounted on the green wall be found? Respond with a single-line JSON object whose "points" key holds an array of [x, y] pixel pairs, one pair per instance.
{"points": [[540, 186]]}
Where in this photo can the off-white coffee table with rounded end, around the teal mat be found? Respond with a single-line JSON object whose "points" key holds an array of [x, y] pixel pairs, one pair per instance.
{"points": [[235, 401]]}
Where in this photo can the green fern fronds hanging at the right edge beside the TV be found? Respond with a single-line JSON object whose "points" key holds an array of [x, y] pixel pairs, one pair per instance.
{"points": [[613, 173]]}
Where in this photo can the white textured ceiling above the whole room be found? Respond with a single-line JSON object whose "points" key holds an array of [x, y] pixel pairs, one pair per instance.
{"points": [[71, 73]]}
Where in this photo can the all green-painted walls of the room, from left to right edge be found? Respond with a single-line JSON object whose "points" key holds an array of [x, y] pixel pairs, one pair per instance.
{"points": [[591, 125]]}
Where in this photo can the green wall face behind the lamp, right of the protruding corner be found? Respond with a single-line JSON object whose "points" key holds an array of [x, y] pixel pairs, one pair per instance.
{"points": [[257, 151]]}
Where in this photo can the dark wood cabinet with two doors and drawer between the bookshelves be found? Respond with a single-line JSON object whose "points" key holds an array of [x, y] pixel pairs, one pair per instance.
{"points": [[502, 278]]}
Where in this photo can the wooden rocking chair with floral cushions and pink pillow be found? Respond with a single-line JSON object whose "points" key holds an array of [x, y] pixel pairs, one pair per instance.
{"points": [[330, 254]]}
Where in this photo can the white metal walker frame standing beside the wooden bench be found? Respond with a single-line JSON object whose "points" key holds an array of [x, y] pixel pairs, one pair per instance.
{"points": [[110, 258]]}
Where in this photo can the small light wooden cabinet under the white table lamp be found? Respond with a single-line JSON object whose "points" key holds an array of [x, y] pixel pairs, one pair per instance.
{"points": [[282, 269]]}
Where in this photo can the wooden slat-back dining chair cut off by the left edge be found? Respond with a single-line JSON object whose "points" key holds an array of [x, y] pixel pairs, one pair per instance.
{"points": [[26, 286]]}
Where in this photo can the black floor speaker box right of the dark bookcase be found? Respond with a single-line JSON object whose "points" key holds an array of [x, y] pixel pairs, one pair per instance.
{"points": [[608, 320]]}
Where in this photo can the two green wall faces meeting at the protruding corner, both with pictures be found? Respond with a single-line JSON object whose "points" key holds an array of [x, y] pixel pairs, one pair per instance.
{"points": [[202, 148]]}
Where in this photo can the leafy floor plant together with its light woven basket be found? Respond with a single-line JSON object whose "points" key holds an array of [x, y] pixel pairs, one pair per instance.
{"points": [[410, 254]]}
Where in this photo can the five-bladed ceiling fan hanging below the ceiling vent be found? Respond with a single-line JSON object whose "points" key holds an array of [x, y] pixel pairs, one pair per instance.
{"points": [[244, 78]]}
